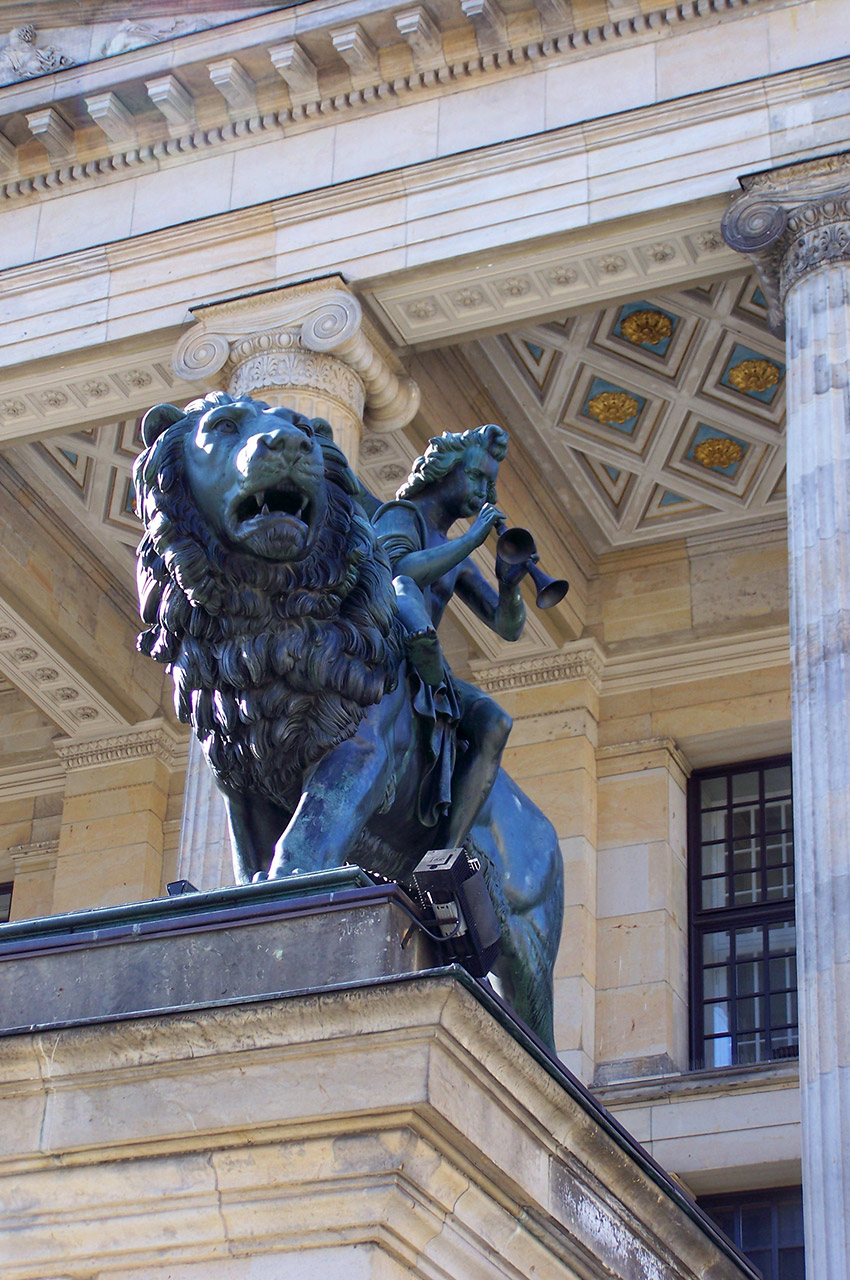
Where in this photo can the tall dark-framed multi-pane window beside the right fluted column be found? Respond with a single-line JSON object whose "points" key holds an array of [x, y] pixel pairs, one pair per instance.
{"points": [[742, 916]]}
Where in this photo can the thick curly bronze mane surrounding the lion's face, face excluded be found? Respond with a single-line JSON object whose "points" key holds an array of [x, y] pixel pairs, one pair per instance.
{"points": [[273, 664]]}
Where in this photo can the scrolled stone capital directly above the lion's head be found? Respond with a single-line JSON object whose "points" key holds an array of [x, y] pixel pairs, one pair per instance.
{"points": [[310, 339]]}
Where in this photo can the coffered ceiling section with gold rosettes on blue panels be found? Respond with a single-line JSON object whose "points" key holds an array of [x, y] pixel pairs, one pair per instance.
{"points": [[655, 418]]}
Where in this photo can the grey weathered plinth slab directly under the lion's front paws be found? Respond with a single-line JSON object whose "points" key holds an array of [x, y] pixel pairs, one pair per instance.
{"points": [[259, 940]]}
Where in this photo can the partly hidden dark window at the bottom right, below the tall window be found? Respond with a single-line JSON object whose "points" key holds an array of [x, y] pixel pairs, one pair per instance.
{"points": [[767, 1227]]}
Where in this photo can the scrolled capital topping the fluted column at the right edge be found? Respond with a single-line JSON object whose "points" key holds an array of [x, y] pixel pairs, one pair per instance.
{"points": [[790, 222]]}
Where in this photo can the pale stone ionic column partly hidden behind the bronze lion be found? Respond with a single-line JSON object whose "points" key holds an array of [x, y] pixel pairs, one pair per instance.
{"points": [[312, 349]]}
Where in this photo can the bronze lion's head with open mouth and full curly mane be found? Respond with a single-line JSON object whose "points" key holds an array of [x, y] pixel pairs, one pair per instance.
{"points": [[262, 586]]}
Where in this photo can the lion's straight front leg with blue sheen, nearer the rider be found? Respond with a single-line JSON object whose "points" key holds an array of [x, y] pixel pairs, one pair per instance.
{"points": [[341, 796]]}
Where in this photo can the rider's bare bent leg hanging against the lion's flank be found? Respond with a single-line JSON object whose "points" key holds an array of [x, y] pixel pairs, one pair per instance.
{"points": [[486, 726]]}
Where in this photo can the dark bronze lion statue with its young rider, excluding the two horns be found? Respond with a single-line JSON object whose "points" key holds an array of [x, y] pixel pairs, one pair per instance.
{"points": [[301, 641]]}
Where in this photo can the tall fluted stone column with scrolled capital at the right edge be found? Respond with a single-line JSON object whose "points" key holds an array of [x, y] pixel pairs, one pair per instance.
{"points": [[794, 225]]}
